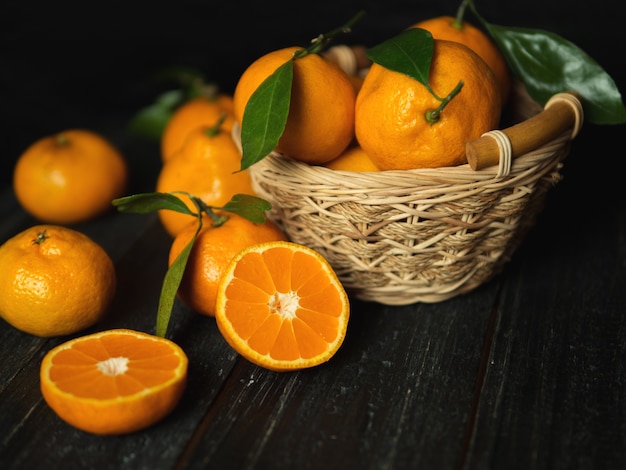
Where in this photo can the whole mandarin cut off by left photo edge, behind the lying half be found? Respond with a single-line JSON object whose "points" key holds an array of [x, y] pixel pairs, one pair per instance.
{"points": [[55, 281]]}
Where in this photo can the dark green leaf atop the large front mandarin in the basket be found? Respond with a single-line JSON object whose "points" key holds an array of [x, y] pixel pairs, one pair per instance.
{"points": [[409, 52]]}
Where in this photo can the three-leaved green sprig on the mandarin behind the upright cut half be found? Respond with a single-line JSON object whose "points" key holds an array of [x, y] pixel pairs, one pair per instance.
{"points": [[250, 207]]}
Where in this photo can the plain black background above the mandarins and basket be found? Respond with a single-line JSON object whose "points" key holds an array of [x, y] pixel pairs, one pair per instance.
{"points": [[72, 63]]}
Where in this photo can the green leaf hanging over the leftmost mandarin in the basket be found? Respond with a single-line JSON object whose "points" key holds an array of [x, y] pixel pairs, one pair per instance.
{"points": [[265, 116]]}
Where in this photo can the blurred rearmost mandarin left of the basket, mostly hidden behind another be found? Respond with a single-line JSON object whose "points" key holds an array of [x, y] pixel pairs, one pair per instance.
{"points": [[202, 111]]}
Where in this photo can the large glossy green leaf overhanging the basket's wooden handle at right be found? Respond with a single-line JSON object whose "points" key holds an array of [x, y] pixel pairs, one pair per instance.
{"points": [[548, 64]]}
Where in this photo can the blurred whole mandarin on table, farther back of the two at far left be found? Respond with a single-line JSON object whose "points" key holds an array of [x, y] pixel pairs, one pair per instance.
{"points": [[69, 177]]}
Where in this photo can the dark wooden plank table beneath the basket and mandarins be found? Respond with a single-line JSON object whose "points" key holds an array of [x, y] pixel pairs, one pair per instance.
{"points": [[526, 372]]}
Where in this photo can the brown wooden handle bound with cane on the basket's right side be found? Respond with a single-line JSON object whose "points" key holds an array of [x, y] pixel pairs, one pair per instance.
{"points": [[562, 112]]}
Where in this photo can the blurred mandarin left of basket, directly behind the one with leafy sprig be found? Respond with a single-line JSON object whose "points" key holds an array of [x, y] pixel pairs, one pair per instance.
{"points": [[207, 166]]}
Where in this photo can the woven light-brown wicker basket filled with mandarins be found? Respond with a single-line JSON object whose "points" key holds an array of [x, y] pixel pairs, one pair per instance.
{"points": [[400, 237]]}
